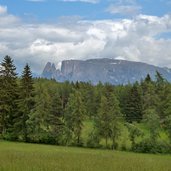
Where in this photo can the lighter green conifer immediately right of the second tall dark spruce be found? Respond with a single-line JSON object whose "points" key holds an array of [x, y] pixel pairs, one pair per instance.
{"points": [[38, 121]]}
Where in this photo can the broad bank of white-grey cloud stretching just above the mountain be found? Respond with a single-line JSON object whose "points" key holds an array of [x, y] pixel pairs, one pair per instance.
{"points": [[130, 39]]}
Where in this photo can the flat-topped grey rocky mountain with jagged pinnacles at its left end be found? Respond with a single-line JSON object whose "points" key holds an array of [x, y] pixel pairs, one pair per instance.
{"points": [[104, 70]]}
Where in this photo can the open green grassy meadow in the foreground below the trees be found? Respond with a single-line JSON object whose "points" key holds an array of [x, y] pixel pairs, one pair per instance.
{"points": [[35, 157]]}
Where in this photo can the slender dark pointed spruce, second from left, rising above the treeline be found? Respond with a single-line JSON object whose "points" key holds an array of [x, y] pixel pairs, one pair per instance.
{"points": [[26, 102]]}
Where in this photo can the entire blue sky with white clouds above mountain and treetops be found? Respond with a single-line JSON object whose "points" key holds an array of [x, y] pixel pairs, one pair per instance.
{"points": [[38, 31]]}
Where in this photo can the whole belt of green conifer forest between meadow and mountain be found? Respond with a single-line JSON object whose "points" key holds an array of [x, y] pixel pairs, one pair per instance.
{"points": [[132, 117]]}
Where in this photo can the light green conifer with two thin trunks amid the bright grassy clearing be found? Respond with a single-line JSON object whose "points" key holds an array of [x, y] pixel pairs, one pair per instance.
{"points": [[107, 121]]}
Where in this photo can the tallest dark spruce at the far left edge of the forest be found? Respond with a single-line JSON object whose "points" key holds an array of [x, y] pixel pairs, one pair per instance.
{"points": [[9, 96]]}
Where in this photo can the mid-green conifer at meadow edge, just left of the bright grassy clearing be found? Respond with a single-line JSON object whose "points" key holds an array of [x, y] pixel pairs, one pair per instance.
{"points": [[74, 116]]}
